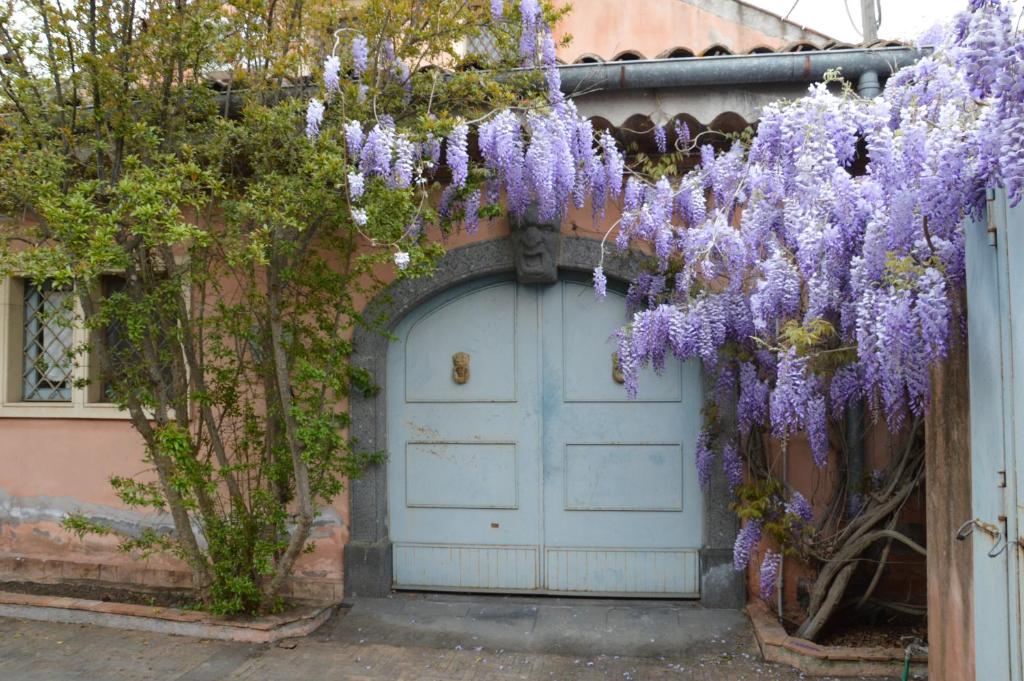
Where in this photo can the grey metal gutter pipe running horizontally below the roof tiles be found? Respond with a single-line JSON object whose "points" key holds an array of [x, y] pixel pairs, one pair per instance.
{"points": [[866, 68]]}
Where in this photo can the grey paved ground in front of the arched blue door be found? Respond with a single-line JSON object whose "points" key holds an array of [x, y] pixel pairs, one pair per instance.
{"points": [[417, 639]]}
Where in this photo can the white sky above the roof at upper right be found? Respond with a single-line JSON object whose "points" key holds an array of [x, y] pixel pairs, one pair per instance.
{"points": [[902, 20]]}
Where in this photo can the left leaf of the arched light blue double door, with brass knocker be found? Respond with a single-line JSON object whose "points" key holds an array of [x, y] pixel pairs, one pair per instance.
{"points": [[463, 473]]}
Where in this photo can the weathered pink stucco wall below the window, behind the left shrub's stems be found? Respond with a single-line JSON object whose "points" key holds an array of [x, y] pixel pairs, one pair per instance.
{"points": [[50, 469]]}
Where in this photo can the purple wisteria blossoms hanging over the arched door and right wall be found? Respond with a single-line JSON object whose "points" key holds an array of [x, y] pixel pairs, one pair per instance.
{"points": [[801, 285]]}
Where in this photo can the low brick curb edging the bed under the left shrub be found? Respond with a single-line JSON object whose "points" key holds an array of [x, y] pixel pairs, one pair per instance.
{"points": [[300, 622]]}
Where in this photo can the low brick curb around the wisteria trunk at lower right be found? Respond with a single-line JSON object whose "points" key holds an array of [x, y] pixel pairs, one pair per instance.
{"points": [[809, 658]]}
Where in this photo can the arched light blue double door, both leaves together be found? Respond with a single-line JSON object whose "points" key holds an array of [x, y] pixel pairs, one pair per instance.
{"points": [[518, 463]]}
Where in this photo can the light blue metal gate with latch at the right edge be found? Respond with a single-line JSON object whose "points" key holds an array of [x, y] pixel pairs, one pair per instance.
{"points": [[996, 319]]}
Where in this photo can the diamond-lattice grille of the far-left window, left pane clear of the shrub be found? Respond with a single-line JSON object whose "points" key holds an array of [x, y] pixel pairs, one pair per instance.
{"points": [[49, 340]]}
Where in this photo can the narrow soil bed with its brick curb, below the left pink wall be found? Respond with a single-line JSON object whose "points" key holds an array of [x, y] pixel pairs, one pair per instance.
{"points": [[153, 612]]}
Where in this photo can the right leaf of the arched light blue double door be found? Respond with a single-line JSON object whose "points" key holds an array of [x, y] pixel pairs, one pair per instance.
{"points": [[623, 509]]}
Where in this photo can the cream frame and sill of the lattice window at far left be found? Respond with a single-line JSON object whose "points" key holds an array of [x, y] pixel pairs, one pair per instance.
{"points": [[83, 403]]}
